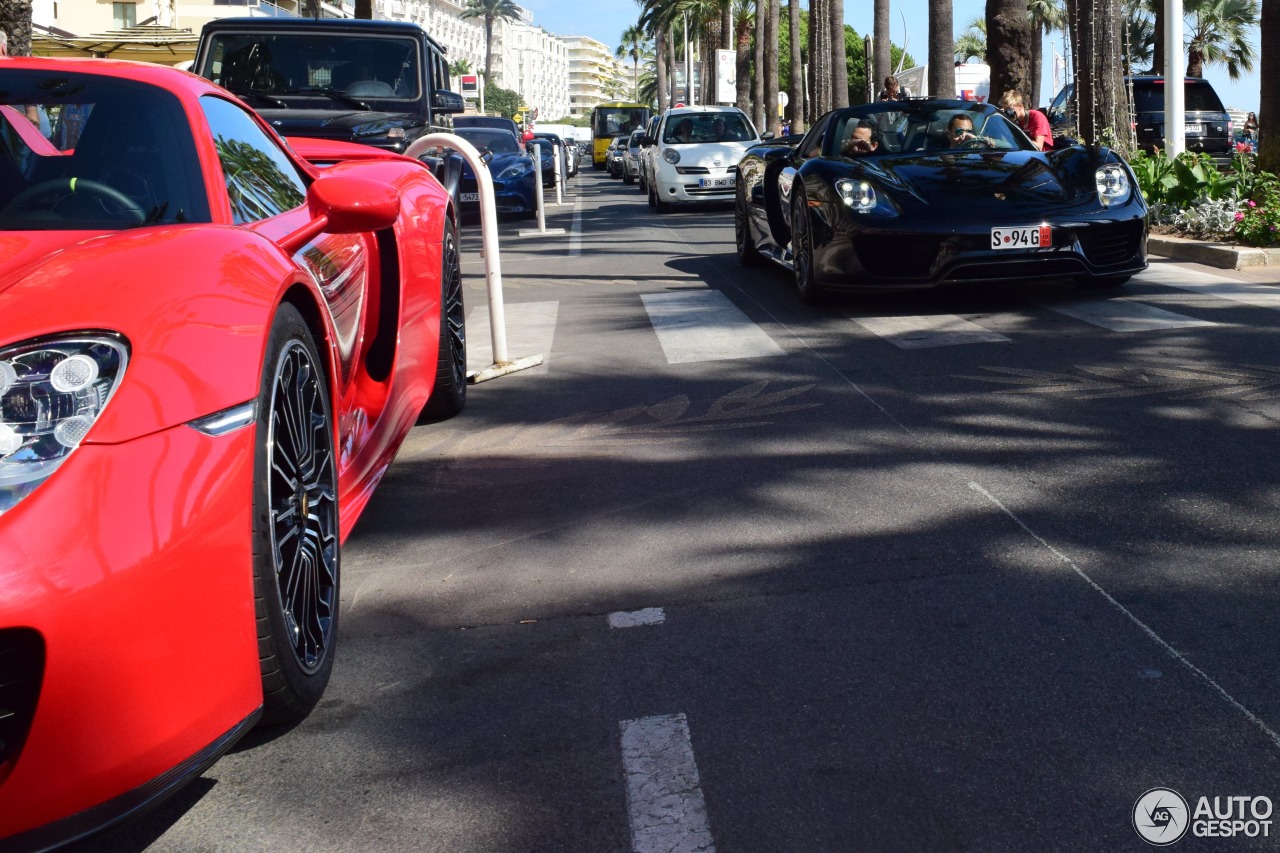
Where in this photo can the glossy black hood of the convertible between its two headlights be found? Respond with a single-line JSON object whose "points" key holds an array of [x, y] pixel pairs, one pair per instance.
{"points": [[953, 184]]}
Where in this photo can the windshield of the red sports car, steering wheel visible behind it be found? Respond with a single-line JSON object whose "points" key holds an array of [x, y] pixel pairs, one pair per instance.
{"points": [[81, 152]]}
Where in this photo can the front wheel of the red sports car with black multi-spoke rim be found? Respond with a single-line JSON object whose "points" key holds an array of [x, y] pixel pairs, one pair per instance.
{"points": [[296, 551]]}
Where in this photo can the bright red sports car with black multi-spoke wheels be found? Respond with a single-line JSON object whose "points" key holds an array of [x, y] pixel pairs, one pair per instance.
{"points": [[211, 350]]}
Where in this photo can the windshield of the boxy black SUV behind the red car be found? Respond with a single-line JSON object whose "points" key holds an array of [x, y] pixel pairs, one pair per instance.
{"points": [[292, 65]]}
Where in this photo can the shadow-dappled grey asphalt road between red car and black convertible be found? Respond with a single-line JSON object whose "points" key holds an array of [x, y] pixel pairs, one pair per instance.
{"points": [[957, 571]]}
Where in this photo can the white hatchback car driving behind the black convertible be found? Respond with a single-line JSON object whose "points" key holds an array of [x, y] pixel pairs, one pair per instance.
{"points": [[696, 153]]}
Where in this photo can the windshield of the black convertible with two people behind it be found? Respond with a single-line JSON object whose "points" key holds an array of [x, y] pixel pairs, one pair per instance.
{"points": [[903, 127]]}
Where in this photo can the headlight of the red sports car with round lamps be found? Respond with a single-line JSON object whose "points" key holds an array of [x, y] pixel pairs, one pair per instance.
{"points": [[52, 391]]}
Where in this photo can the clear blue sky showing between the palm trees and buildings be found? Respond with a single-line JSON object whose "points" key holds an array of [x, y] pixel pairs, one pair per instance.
{"points": [[606, 20]]}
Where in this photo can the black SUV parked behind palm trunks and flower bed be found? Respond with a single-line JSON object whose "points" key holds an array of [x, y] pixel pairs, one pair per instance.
{"points": [[1209, 126]]}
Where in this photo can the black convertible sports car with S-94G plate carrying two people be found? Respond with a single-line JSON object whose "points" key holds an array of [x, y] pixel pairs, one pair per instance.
{"points": [[924, 193]]}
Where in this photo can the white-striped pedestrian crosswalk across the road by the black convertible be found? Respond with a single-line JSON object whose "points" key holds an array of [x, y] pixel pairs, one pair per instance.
{"points": [[700, 325]]}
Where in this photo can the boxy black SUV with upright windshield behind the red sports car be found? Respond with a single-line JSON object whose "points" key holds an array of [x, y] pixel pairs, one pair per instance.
{"points": [[378, 83]]}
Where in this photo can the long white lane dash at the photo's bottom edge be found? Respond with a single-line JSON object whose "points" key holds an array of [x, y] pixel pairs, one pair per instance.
{"points": [[665, 800]]}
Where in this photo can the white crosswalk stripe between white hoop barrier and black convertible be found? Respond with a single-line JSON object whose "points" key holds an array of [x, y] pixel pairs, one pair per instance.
{"points": [[706, 326]]}
